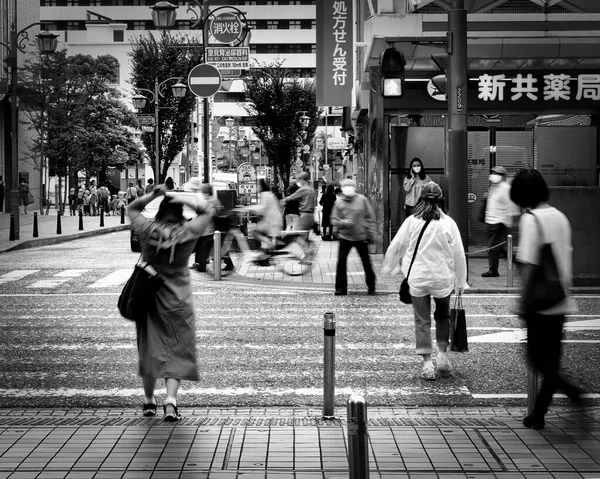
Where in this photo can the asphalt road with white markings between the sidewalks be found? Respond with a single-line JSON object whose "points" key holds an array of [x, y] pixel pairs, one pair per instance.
{"points": [[63, 343]]}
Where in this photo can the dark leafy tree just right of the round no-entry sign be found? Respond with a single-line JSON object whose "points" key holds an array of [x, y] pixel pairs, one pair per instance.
{"points": [[277, 100]]}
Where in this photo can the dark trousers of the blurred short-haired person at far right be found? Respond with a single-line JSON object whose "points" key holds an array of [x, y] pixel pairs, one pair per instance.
{"points": [[544, 336]]}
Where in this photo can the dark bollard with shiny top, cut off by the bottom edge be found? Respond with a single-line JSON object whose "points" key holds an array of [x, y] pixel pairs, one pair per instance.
{"points": [[358, 438]]}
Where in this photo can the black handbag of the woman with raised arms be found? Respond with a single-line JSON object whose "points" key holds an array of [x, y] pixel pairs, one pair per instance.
{"points": [[137, 298]]}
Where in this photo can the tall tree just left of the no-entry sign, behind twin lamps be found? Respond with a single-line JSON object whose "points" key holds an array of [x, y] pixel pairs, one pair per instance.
{"points": [[163, 58]]}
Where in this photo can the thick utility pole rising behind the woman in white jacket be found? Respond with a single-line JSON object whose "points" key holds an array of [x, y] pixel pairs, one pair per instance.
{"points": [[457, 169]]}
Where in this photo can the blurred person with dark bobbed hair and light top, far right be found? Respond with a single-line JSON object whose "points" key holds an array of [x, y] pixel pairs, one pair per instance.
{"points": [[543, 224]]}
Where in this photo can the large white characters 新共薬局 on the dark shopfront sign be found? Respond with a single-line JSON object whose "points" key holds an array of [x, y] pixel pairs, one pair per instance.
{"points": [[547, 87]]}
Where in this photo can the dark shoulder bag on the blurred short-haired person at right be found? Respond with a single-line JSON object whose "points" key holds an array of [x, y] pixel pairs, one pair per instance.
{"points": [[544, 288]]}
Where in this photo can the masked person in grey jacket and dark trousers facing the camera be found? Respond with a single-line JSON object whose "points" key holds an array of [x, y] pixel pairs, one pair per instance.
{"points": [[354, 218]]}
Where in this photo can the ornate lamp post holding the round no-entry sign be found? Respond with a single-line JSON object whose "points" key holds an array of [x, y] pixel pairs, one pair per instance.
{"points": [[164, 16]]}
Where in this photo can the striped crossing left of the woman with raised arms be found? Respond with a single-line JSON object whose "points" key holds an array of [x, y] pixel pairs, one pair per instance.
{"points": [[33, 279]]}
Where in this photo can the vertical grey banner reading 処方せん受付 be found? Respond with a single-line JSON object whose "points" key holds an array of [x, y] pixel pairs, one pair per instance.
{"points": [[335, 70]]}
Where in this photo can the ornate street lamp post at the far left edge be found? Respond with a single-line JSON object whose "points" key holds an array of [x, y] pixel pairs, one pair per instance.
{"points": [[47, 43]]}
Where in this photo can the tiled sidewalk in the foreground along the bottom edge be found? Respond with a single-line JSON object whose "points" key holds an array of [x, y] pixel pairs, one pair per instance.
{"points": [[296, 443]]}
